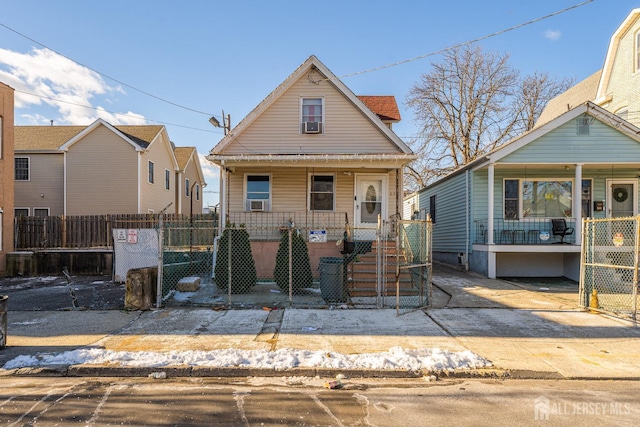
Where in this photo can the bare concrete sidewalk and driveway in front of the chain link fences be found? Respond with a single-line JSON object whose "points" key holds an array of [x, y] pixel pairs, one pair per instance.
{"points": [[525, 333]]}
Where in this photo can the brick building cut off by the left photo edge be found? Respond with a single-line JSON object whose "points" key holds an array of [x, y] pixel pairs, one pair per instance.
{"points": [[6, 174]]}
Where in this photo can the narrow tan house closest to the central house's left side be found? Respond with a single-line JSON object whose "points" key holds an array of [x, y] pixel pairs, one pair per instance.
{"points": [[189, 181]]}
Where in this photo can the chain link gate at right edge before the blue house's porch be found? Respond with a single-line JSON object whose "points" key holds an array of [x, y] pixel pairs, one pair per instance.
{"points": [[609, 266]]}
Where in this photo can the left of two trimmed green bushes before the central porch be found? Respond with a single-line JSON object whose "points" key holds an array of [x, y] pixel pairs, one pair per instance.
{"points": [[243, 267]]}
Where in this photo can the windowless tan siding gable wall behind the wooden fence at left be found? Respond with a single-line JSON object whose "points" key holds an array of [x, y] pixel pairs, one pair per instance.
{"points": [[102, 174]]}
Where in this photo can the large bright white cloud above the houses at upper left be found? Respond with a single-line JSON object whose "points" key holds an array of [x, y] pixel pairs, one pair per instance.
{"points": [[62, 85]]}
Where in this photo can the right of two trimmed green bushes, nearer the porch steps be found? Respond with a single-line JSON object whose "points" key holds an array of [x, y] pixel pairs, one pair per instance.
{"points": [[301, 267]]}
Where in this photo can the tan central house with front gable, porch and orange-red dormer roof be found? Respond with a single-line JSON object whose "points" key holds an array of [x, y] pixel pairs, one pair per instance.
{"points": [[315, 153]]}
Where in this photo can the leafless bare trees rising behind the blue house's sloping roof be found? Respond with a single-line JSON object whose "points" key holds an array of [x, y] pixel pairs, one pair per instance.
{"points": [[468, 104]]}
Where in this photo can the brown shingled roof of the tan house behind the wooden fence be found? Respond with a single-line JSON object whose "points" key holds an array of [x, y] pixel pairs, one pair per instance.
{"points": [[55, 138]]}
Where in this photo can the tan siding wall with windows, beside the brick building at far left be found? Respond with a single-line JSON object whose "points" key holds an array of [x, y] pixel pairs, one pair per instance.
{"points": [[45, 188]]}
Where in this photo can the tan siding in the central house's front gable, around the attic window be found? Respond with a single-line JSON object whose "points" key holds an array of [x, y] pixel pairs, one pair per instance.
{"points": [[345, 129]]}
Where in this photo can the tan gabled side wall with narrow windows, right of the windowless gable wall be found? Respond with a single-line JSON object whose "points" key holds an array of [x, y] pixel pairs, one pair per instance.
{"points": [[155, 196]]}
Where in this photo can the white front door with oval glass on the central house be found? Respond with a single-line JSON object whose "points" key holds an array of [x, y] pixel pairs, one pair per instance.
{"points": [[370, 202]]}
